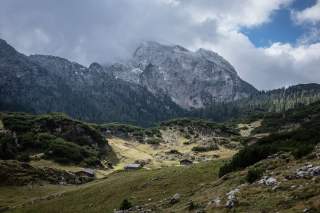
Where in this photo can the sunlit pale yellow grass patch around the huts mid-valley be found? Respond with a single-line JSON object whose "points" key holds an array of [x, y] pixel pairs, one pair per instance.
{"points": [[130, 151]]}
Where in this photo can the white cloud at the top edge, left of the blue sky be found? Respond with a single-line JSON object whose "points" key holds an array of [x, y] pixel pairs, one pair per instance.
{"points": [[232, 13]]}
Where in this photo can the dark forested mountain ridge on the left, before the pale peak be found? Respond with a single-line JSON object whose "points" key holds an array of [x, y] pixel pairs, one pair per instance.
{"points": [[41, 84]]}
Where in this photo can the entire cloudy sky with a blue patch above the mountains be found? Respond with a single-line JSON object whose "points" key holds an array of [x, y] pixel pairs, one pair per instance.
{"points": [[271, 43]]}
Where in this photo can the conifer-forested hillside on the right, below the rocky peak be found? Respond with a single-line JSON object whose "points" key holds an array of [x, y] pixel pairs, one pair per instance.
{"points": [[278, 100]]}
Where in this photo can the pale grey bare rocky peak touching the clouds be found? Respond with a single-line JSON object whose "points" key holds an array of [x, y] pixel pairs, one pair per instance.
{"points": [[190, 79]]}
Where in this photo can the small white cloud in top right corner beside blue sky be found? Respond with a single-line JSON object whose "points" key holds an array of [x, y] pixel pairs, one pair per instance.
{"points": [[310, 15]]}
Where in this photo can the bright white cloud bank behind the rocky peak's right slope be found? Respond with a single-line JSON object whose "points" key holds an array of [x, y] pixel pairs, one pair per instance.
{"points": [[272, 67]]}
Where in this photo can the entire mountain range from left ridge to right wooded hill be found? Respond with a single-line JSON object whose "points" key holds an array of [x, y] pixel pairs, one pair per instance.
{"points": [[158, 83]]}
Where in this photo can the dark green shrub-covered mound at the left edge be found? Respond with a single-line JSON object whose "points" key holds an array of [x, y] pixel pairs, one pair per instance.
{"points": [[61, 138]]}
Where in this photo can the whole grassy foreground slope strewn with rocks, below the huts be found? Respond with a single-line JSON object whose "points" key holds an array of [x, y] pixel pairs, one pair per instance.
{"points": [[198, 186]]}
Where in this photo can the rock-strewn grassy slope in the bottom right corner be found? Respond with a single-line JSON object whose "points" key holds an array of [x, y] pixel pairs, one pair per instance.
{"points": [[290, 196]]}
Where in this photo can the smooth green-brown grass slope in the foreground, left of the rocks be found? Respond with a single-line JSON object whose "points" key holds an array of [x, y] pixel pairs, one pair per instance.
{"points": [[138, 186]]}
